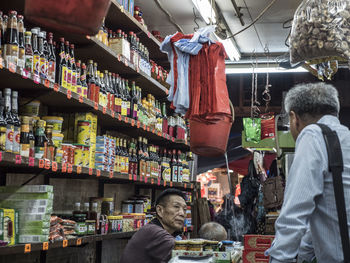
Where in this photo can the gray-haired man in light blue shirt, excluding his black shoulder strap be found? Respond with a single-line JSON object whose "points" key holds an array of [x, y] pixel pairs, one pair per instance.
{"points": [[309, 201]]}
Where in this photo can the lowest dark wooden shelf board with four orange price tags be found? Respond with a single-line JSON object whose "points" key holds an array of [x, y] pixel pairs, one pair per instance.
{"points": [[74, 242]]}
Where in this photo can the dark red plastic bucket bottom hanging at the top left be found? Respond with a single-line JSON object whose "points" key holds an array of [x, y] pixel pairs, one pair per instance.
{"points": [[75, 16]]}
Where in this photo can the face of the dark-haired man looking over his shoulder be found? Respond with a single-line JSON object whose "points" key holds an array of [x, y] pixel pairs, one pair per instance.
{"points": [[172, 213]]}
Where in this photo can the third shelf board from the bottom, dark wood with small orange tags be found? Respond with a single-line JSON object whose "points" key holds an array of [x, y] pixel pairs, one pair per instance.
{"points": [[66, 101]]}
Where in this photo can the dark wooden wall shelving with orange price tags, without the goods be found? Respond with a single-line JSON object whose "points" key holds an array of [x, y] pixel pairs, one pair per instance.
{"points": [[63, 100]]}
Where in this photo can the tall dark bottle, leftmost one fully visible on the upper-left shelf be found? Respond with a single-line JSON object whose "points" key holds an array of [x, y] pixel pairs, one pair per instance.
{"points": [[11, 41]]}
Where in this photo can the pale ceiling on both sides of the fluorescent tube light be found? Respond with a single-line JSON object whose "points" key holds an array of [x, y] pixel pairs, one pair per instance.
{"points": [[268, 31]]}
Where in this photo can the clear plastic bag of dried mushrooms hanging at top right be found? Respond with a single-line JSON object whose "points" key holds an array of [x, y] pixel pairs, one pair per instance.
{"points": [[320, 30]]}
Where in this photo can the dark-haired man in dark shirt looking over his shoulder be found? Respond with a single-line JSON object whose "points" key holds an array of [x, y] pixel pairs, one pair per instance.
{"points": [[154, 242]]}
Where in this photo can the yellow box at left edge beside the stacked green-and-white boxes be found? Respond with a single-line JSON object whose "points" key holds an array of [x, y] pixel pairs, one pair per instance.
{"points": [[9, 224]]}
